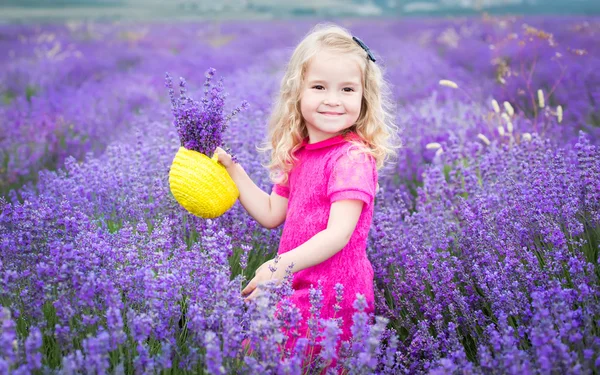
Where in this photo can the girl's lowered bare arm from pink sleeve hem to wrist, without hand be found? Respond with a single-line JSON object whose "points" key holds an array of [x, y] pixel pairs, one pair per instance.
{"points": [[343, 217]]}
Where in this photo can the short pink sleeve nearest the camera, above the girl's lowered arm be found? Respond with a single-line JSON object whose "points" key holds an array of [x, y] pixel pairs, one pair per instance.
{"points": [[353, 176]]}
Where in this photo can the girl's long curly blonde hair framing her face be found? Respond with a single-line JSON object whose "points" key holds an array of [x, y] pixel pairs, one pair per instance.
{"points": [[286, 129]]}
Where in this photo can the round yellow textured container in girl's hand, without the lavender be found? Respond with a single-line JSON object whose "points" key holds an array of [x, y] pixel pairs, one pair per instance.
{"points": [[201, 184]]}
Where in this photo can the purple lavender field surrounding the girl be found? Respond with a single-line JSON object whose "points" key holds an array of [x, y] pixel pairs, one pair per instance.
{"points": [[486, 230]]}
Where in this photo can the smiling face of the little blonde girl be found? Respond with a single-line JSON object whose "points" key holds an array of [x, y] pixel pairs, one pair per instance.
{"points": [[331, 95]]}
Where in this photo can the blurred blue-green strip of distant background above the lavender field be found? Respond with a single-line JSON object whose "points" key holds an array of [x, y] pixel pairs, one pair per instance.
{"points": [[48, 10]]}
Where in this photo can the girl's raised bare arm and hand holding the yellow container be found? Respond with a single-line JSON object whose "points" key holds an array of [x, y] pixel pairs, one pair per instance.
{"points": [[268, 210]]}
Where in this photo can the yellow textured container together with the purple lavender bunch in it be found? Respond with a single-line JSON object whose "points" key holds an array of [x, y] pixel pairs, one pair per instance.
{"points": [[198, 182]]}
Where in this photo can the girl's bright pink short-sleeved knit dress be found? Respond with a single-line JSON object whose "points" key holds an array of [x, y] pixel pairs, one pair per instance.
{"points": [[326, 172]]}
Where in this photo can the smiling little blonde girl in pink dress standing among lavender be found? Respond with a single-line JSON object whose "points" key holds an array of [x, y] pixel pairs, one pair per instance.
{"points": [[331, 130]]}
